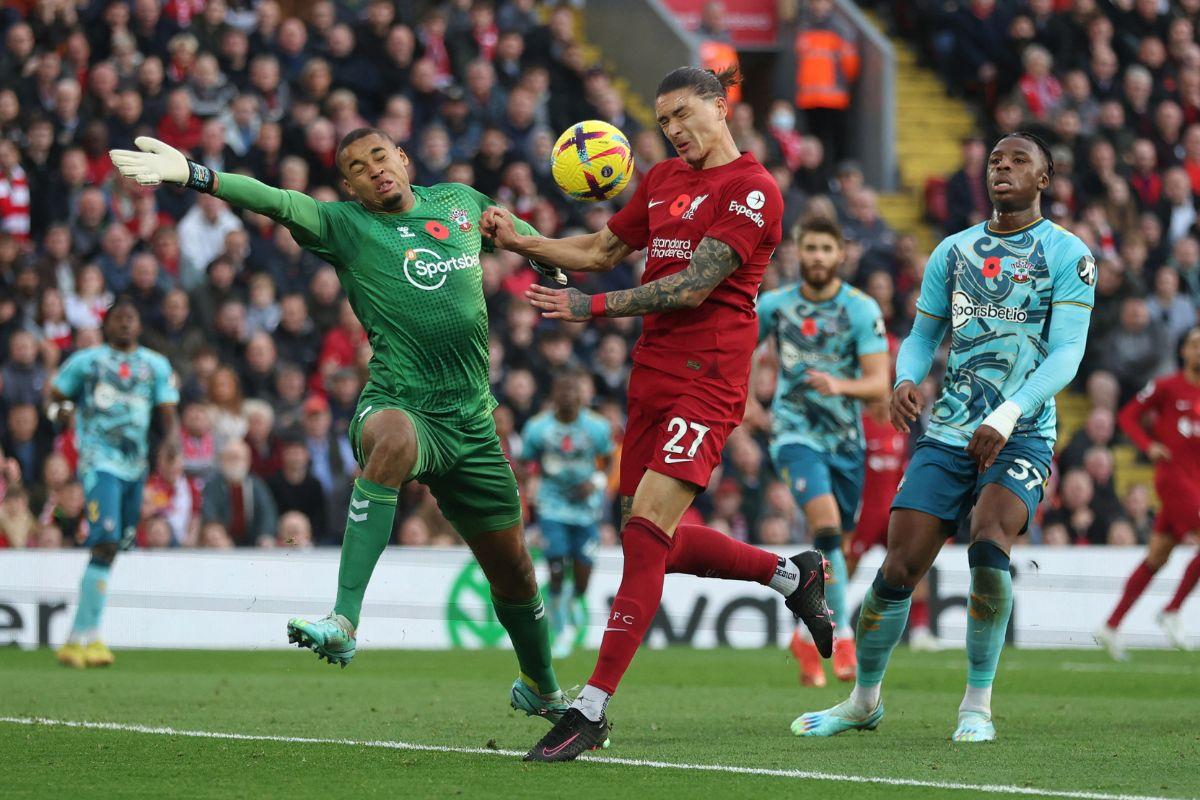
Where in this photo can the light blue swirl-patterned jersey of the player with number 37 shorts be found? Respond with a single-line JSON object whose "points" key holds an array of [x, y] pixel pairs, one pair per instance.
{"points": [[999, 294]]}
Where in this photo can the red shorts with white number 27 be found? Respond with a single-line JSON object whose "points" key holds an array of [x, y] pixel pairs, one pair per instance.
{"points": [[677, 426]]}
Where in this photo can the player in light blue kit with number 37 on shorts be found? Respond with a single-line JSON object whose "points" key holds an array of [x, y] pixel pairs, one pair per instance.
{"points": [[1017, 293]]}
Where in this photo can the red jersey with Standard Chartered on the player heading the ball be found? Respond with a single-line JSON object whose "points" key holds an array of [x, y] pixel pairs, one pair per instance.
{"points": [[674, 208]]}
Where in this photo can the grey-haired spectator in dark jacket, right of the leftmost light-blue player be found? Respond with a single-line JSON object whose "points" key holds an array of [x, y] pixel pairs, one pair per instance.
{"points": [[237, 500]]}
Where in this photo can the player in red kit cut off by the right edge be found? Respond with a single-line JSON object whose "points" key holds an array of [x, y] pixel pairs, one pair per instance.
{"points": [[1174, 446]]}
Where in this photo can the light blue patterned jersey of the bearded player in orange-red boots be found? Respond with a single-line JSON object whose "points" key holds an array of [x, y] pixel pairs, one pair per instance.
{"points": [[829, 336]]}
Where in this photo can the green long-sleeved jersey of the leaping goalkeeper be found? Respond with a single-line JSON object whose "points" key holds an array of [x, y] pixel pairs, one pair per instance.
{"points": [[415, 281]]}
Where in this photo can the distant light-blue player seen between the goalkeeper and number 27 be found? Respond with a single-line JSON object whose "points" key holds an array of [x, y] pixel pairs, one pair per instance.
{"points": [[573, 448]]}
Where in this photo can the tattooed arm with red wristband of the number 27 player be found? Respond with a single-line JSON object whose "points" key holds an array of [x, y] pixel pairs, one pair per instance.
{"points": [[712, 263]]}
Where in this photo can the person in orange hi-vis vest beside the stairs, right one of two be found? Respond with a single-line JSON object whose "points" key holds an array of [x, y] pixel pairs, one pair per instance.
{"points": [[826, 70]]}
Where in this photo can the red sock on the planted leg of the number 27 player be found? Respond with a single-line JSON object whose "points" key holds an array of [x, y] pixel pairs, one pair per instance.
{"points": [[646, 548]]}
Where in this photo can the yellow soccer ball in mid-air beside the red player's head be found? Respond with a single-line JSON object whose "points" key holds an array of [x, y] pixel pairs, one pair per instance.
{"points": [[592, 161]]}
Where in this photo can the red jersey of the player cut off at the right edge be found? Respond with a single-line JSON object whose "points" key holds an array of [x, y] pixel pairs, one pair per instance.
{"points": [[1175, 405]]}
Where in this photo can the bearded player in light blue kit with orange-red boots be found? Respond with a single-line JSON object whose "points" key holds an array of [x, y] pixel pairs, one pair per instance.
{"points": [[833, 353]]}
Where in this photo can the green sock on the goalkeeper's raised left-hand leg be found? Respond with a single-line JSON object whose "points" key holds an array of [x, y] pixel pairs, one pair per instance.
{"points": [[368, 532]]}
